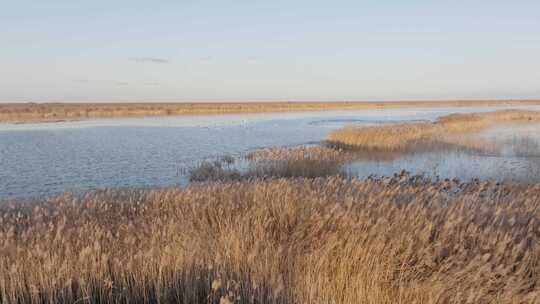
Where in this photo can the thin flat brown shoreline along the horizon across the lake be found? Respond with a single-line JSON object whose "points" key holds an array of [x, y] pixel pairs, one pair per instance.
{"points": [[59, 112]]}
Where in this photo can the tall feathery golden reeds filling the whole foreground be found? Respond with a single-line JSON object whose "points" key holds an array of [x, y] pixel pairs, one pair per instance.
{"points": [[326, 240]]}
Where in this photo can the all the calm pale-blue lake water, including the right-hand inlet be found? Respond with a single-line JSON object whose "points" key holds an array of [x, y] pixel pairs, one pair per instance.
{"points": [[45, 159]]}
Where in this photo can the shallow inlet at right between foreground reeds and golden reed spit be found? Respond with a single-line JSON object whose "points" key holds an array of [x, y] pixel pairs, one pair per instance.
{"points": [[511, 153]]}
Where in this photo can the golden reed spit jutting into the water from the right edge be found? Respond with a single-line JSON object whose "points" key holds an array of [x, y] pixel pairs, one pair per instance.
{"points": [[455, 129]]}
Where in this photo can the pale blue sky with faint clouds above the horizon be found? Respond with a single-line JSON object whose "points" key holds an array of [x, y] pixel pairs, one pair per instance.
{"points": [[236, 50]]}
